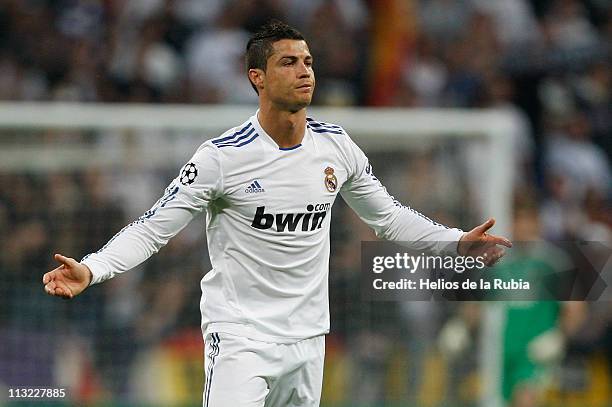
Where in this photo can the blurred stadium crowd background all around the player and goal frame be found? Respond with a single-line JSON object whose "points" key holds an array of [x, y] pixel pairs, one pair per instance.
{"points": [[136, 340]]}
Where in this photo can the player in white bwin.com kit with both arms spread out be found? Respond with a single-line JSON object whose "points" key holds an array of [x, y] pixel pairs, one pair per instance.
{"points": [[267, 187]]}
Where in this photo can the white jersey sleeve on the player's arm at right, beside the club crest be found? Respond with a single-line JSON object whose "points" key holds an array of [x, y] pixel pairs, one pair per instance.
{"points": [[391, 220]]}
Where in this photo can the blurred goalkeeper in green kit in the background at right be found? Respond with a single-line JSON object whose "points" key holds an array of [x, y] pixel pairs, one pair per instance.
{"points": [[536, 332]]}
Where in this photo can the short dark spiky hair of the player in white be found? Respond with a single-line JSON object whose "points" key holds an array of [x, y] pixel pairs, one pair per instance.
{"points": [[259, 48]]}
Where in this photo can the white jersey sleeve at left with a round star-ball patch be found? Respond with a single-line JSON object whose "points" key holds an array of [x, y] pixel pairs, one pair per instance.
{"points": [[198, 183]]}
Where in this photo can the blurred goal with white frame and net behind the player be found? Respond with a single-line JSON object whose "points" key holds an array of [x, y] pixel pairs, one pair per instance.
{"points": [[72, 175]]}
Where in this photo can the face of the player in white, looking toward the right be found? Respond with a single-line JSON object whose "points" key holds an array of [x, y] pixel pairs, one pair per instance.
{"points": [[289, 79]]}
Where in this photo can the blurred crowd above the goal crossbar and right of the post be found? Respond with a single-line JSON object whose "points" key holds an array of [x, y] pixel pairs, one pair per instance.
{"points": [[547, 59]]}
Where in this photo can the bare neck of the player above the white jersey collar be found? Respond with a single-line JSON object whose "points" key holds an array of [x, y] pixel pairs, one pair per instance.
{"points": [[286, 128]]}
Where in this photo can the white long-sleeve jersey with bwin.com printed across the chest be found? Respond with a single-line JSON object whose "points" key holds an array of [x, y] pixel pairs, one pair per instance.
{"points": [[268, 218]]}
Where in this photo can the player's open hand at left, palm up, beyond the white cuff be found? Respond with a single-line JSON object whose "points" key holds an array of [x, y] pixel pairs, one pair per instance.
{"points": [[68, 280]]}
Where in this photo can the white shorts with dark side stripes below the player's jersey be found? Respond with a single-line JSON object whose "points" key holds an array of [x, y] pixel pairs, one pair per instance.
{"points": [[241, 372]]}
